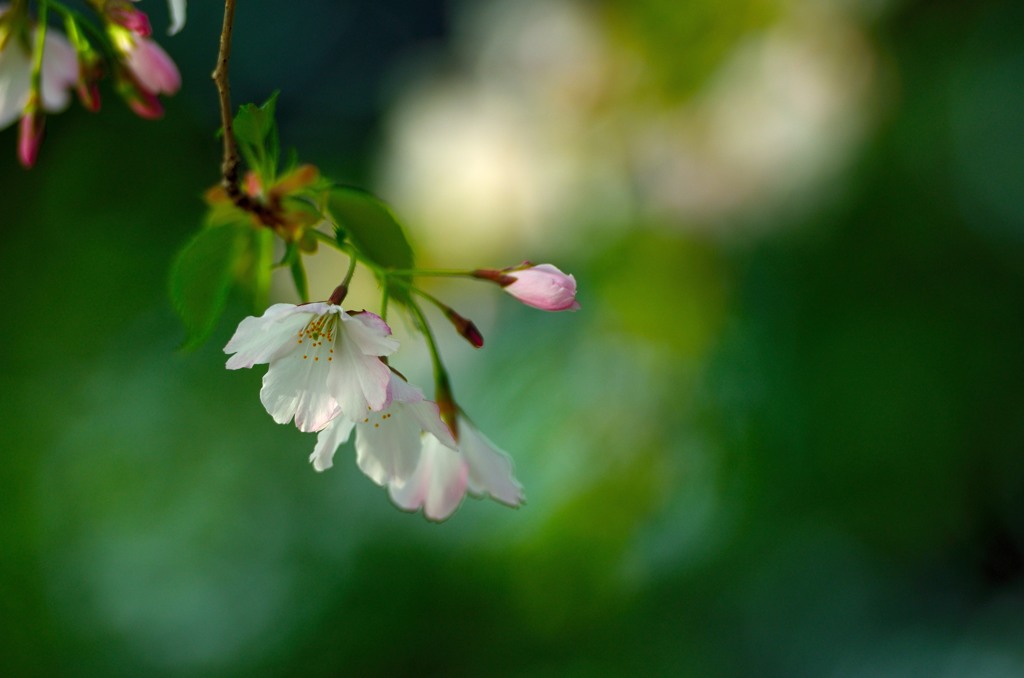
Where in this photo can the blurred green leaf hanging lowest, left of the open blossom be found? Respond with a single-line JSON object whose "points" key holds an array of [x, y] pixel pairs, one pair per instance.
{"points": [[202, 276]]}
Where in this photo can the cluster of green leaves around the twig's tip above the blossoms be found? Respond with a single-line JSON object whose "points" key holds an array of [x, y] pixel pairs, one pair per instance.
{"points": [[234, 251]]}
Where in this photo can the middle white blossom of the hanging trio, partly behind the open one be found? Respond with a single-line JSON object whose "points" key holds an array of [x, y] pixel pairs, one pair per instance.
{"points": [[388, 443]]}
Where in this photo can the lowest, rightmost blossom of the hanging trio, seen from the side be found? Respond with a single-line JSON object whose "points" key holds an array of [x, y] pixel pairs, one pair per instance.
{"points": [[443, 477]]}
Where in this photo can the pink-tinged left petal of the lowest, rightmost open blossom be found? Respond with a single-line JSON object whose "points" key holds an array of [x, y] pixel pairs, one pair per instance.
{"points": [[438, 485]]}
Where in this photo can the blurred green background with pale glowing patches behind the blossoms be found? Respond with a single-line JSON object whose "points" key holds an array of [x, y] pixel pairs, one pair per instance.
{"points": [[785, 436]]}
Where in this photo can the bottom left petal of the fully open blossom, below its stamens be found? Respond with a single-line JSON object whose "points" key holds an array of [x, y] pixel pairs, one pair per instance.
{"points": [[296, 386]]}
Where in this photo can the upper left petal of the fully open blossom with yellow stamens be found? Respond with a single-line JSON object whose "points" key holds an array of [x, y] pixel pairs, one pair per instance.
{"points": [[263, 340]]}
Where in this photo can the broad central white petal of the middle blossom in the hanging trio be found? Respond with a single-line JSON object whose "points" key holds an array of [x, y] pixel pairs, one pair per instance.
{"points": [[388, 445]]}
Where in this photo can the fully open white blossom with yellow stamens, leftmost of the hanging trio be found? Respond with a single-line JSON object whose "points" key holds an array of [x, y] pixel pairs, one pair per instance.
{"points": [[323, 362]]}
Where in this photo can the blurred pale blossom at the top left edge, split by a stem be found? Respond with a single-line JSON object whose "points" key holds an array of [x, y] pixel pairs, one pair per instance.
{"points": [[60, 75]]}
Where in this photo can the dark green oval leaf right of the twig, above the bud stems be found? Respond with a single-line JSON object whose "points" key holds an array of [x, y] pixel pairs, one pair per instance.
{"points": [[370, 226]]}
